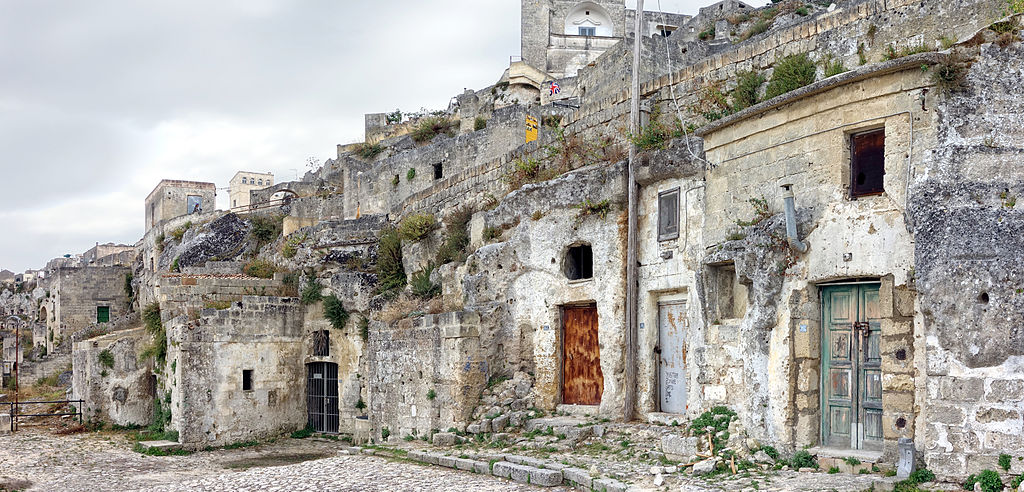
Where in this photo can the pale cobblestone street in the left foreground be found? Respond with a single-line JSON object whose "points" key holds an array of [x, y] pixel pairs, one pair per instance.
{"points": [[105, 462]]}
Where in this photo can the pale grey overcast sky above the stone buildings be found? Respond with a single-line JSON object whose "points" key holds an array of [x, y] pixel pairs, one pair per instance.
{"points": [[101, 100]]}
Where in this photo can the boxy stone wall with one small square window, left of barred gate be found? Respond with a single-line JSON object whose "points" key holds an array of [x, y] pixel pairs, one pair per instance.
{"points": [[205, 363]]}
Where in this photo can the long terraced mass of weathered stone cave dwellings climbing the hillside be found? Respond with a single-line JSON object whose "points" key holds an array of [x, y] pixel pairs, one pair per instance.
{"points": [[836, 263]]}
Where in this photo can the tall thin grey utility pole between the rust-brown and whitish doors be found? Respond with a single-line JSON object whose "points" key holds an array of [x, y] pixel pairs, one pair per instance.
{"points": [[631, 237]]}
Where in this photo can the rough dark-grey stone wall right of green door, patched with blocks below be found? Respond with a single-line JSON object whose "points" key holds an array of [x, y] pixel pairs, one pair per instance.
{"points": [[968, 242]]}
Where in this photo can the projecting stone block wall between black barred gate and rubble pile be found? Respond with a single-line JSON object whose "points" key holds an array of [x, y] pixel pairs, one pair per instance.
{"points": [[414, 357]]}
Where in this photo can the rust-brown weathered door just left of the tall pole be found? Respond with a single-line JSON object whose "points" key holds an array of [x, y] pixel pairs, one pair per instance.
{"points": [[583, 383]]}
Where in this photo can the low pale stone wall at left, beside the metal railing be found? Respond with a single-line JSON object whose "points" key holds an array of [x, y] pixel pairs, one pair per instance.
{"points": [[121, 390]]}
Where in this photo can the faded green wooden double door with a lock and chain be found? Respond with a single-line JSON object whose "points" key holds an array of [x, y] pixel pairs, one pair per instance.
{"points": [[851, 367]]}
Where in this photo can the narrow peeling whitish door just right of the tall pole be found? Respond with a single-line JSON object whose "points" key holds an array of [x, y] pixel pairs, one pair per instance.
{"points": [[672, 343]]}
